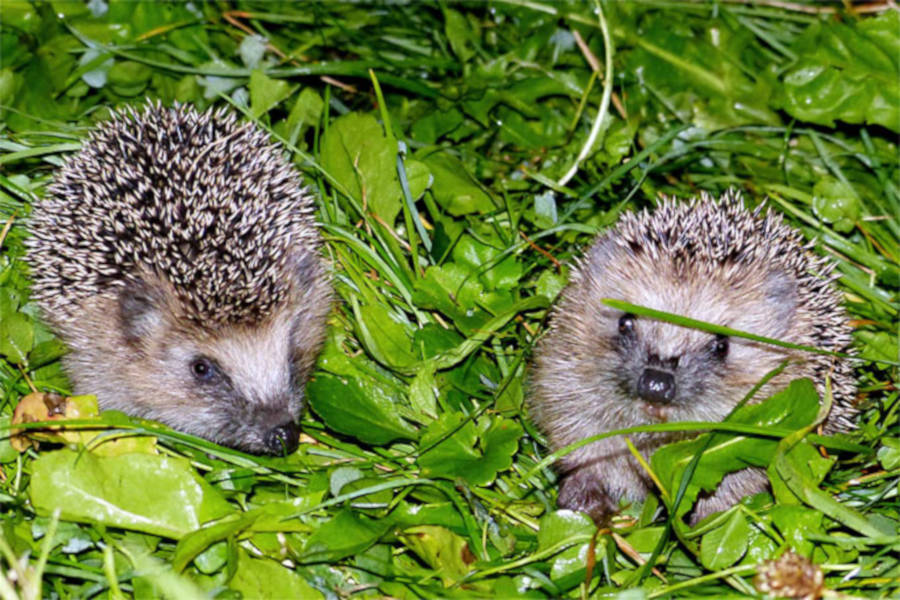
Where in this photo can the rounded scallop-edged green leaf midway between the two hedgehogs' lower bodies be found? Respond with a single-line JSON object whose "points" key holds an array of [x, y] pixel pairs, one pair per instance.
{"points": [[475, 451]]}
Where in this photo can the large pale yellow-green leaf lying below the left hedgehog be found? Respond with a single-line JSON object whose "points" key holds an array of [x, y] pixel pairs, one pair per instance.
{"points": [[155, 494]]}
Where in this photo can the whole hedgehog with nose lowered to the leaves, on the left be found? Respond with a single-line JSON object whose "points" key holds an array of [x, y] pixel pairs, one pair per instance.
{"points": [[177, 256]]}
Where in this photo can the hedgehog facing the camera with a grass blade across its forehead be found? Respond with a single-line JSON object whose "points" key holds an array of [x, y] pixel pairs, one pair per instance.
{"points": [[598, 369]]}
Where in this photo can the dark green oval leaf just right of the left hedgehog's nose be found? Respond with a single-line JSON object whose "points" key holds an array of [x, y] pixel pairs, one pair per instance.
{"points": [[351, 407]]}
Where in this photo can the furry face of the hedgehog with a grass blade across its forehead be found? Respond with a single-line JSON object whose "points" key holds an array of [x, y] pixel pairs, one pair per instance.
{"points": [[642, 370]]}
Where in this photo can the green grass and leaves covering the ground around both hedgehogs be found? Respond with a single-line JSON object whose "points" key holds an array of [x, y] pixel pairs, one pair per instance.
{"points": [[420, 474]]}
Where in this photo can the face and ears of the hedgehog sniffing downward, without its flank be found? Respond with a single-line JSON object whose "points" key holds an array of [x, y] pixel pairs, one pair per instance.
{"points": [[241, 384]]}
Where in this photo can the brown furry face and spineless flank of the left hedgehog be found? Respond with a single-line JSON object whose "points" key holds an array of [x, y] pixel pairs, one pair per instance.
{"points": [[240, 385]]}
